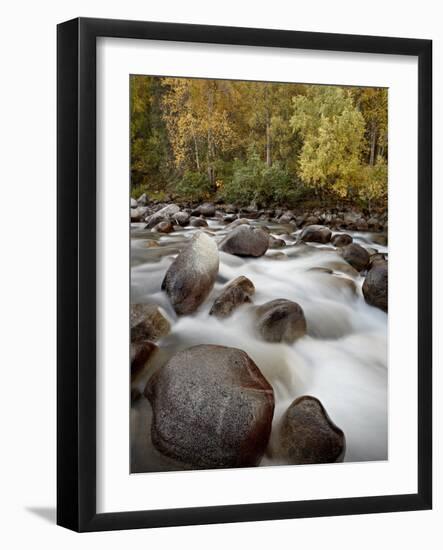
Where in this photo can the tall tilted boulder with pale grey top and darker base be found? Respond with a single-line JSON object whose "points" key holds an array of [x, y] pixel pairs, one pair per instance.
{"points": [[191, 276]]}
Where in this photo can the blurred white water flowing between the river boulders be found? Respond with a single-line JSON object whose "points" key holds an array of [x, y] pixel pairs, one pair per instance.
{"points": [[342, 360]]}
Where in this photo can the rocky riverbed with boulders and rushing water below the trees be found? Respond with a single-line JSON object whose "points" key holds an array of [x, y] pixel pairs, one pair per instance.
{"points": [[258, 337]]}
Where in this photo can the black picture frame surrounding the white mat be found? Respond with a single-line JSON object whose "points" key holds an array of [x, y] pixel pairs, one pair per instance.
{"points": [[76, 279]]}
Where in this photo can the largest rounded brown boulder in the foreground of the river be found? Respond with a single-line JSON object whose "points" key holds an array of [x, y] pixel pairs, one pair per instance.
{"points": [[212, 408]]}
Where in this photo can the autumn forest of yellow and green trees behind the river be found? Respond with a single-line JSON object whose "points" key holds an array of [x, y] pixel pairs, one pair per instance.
{"points": [[257, 142]]}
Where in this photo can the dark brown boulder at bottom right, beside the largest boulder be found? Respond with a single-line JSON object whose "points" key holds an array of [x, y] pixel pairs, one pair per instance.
{"points": [[308, 436]]}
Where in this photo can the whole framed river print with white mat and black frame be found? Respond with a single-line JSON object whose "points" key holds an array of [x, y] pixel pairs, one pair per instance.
{"points": [[244, 274]]}
